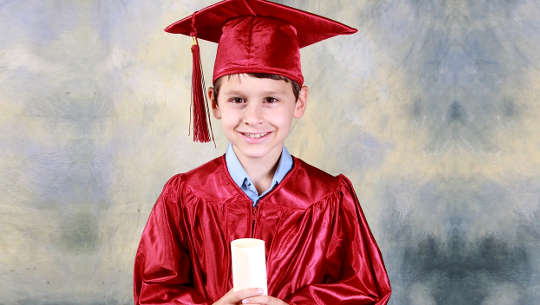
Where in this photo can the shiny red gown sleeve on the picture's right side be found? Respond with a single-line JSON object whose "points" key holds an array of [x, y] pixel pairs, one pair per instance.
{"points": [[355, 268]]}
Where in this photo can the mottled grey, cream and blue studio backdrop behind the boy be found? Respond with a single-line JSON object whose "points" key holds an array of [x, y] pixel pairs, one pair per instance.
{"points": [[432, 109]]}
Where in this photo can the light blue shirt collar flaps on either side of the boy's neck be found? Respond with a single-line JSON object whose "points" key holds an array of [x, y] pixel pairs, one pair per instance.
{"points": [[239, 175]]}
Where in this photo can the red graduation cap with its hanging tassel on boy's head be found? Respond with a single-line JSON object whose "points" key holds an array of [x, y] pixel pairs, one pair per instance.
{"points": [[253, 36]]}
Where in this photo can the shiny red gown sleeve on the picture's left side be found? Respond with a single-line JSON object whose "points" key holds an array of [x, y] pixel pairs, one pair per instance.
{"points": [[163, 271]]}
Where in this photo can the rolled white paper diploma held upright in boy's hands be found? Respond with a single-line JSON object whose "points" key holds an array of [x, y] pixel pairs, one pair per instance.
{"points": [[249, 264]]}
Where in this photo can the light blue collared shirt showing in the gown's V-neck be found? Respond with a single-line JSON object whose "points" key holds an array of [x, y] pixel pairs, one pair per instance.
{"points": [[241, 178]]}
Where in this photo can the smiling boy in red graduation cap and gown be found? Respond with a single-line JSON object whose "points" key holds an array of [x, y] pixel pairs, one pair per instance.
{"points": [[319, 248]]}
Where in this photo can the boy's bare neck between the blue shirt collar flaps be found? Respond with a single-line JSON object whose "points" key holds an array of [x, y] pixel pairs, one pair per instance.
{"points": [[261, 170]]}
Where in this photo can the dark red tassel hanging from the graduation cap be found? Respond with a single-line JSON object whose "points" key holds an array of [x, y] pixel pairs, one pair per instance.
{"points": [[202, 125]]}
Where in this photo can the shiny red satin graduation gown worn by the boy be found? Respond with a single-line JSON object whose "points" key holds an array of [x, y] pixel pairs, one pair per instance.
{"points": [[319, 248]]}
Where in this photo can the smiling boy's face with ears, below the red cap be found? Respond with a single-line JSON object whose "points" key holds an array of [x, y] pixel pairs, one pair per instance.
{"points": [[256, 113]]}
